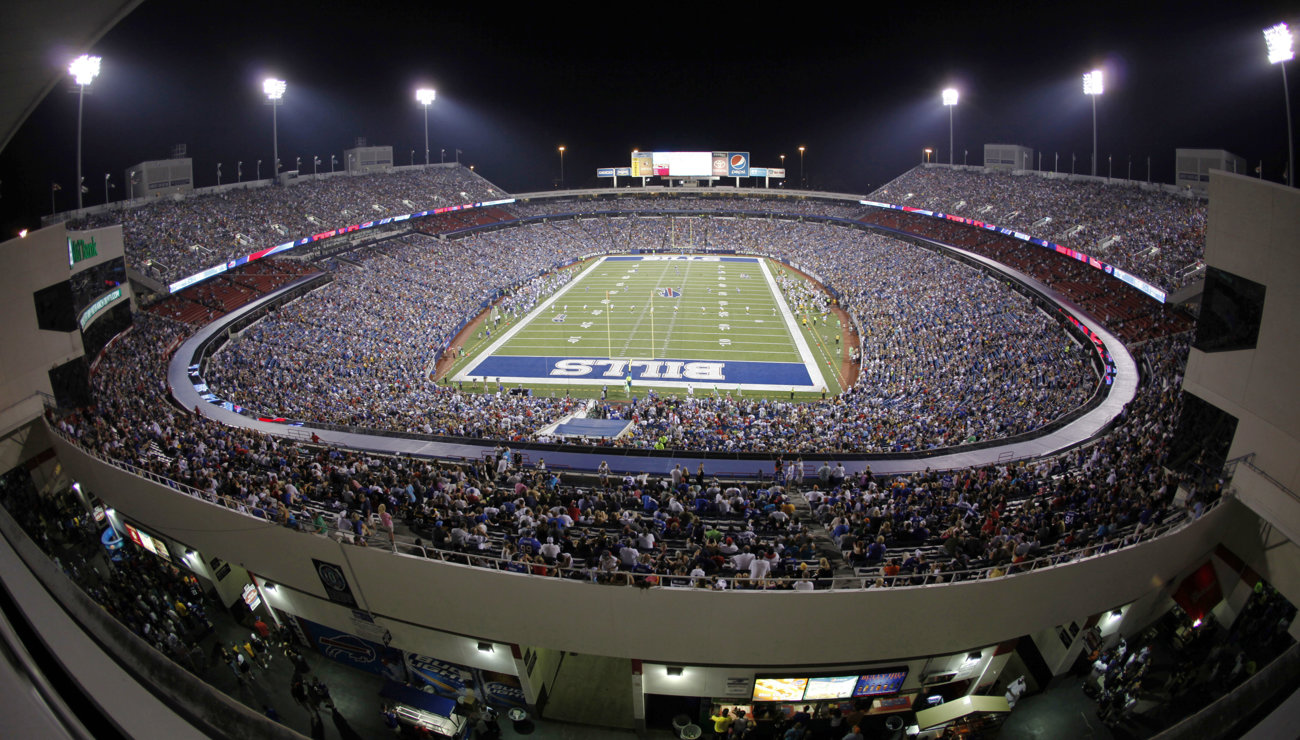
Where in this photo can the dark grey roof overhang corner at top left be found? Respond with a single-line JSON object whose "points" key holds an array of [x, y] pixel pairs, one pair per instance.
{"points": [[38, 38]]}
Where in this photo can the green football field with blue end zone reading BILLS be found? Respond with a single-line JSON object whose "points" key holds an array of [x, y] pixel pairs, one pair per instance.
{"points": [[683, 322]]}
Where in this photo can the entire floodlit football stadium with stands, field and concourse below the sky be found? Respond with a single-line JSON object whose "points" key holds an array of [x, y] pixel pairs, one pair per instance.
{"points": [[981, 451]]}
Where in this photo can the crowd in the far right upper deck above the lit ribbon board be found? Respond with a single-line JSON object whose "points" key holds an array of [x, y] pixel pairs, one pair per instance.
{"points": [[1154, 235]]}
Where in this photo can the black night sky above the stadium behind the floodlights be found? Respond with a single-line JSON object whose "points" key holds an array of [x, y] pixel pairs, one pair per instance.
{"points": [[860, 90]]}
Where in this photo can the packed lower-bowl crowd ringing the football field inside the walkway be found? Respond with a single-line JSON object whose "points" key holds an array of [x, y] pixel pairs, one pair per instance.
{"points": [[948, 357]]}
